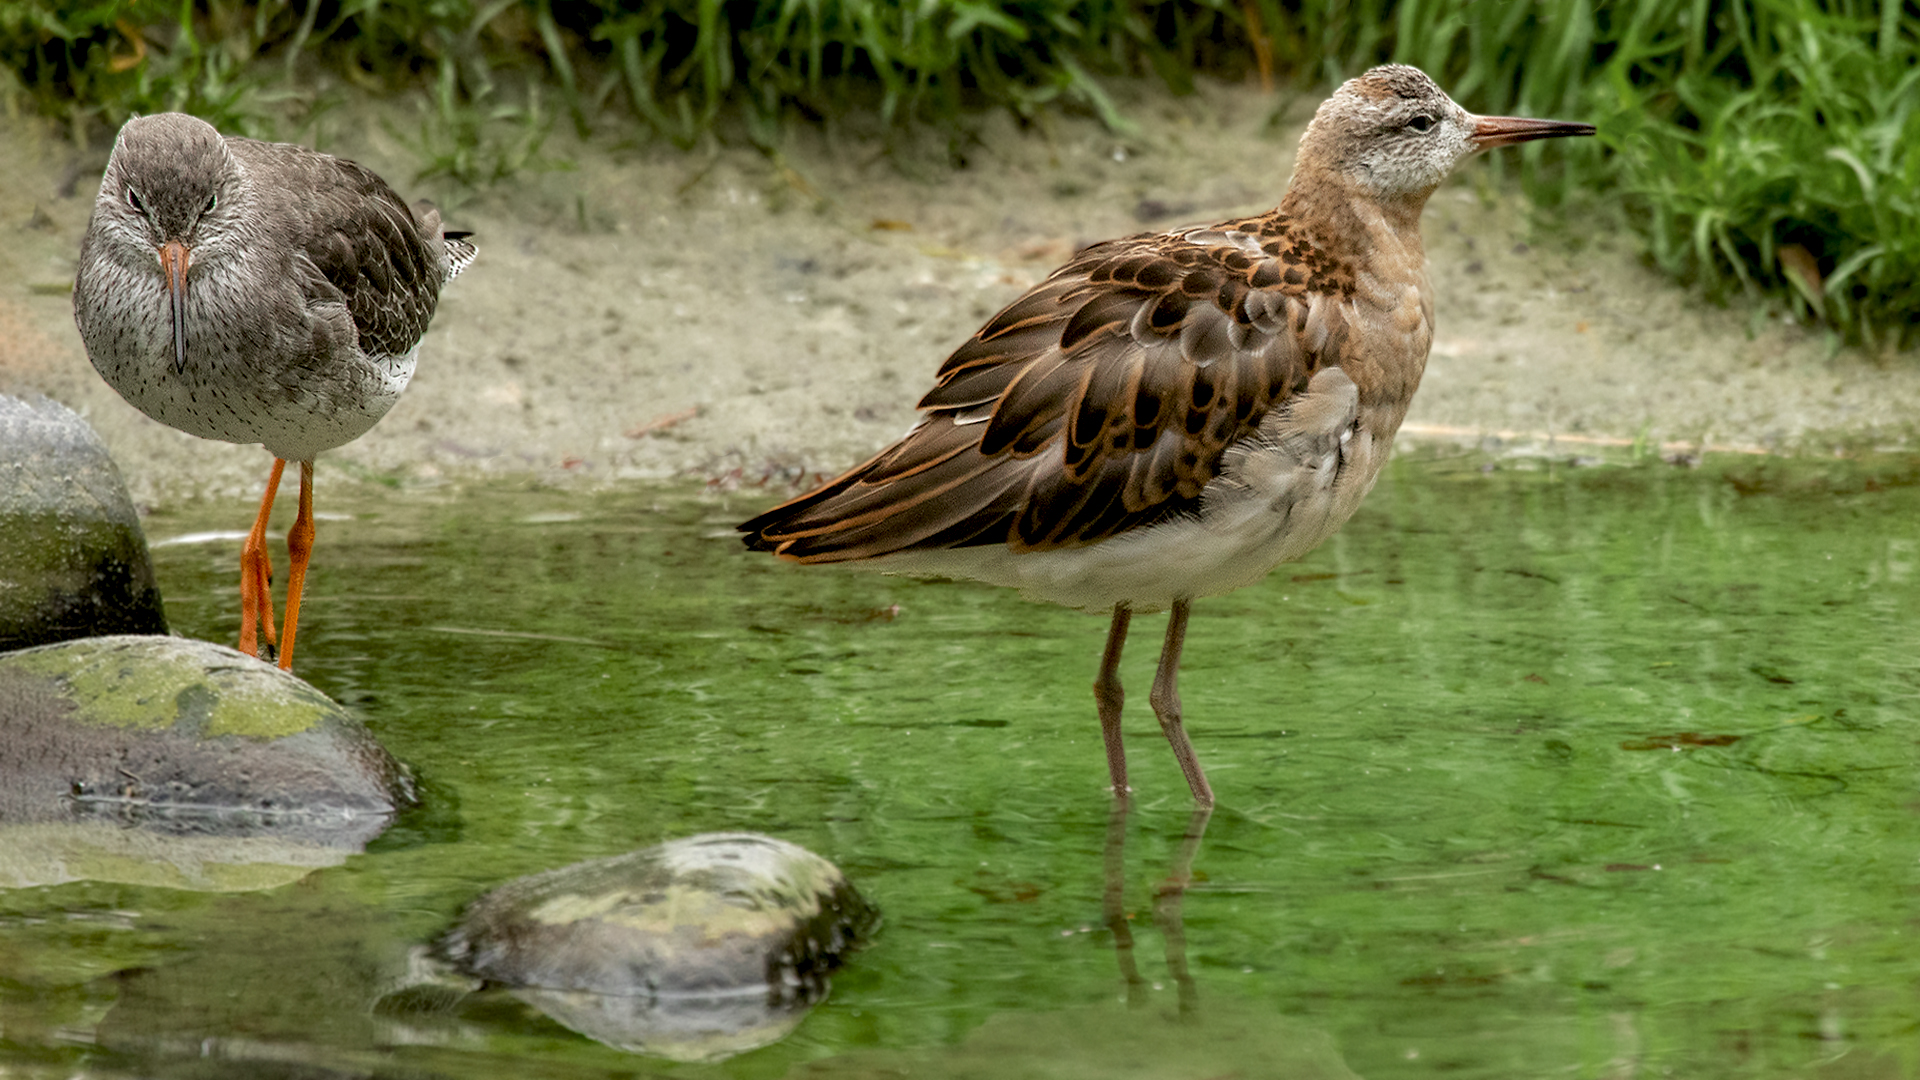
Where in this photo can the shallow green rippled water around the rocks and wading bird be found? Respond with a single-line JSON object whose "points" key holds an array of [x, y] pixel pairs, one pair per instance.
{"points": [[1533, 772]]}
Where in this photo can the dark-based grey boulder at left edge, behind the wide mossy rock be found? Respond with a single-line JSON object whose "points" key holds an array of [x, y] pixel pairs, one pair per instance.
{"points": [[74, 562]]}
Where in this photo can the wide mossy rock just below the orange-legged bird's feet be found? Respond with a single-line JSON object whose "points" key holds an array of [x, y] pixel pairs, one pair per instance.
{"points": [[231, 758]]}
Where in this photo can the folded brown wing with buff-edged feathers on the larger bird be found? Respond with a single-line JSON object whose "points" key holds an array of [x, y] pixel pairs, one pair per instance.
{"points": [[1115, 387]]}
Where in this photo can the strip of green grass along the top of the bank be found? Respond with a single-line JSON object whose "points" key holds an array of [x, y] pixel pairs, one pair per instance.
{"points": [[1762, 147]]}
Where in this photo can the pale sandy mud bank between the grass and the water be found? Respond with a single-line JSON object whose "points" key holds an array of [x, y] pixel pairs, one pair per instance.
{"points": [[725, 316]]}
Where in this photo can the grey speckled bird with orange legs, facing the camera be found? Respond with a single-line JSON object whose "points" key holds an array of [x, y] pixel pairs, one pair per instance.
{"points": [[258, 293]]}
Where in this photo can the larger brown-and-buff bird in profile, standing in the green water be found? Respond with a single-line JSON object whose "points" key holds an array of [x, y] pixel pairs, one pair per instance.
{"points": [[1176, 414]]}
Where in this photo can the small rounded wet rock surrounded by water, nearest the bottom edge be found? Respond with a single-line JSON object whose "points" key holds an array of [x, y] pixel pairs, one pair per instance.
{"points": [[694, 950]]}
